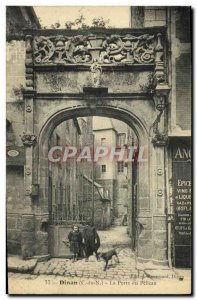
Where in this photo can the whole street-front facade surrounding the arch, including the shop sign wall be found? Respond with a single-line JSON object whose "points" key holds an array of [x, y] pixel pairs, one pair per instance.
{"points": [[139, 75]]}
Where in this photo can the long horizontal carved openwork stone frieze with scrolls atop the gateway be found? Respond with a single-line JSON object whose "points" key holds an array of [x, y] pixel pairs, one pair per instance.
{"points": [[86, 49]]}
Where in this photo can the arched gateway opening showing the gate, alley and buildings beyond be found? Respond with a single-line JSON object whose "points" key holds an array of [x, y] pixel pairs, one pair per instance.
{"points": [[92, 174]]}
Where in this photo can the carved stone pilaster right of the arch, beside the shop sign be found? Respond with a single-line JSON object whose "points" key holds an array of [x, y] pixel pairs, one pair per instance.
{"points": [[160, 140]]}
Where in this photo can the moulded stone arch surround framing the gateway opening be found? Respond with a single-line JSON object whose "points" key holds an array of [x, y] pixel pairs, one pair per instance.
{"points": [[60, 114]]}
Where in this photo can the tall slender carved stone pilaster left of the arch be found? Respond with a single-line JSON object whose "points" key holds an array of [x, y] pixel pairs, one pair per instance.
{"points": [[28, 139]]}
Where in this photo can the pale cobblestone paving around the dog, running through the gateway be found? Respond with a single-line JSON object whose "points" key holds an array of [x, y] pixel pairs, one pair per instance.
{"points": [[115, 236]]}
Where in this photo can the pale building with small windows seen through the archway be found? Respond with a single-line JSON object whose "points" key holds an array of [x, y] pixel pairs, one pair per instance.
{"points": [[114, 175]]}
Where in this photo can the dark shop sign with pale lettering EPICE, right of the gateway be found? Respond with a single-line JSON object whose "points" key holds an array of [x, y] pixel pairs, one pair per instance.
{"points": [[182, 203]]}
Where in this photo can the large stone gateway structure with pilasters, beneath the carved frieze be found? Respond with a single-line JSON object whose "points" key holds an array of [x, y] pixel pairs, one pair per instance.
{"points": [[128, 95]]}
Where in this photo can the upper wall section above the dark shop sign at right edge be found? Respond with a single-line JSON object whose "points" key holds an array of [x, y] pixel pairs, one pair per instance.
{"points": [[181, 69]]}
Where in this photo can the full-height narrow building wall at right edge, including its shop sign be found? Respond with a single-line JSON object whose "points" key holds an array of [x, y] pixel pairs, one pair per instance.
{"points": [[180, 108]]}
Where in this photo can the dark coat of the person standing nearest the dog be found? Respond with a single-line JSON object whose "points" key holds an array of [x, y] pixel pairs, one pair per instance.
{"points": [[91, 240]]}
